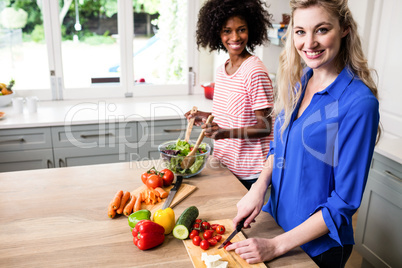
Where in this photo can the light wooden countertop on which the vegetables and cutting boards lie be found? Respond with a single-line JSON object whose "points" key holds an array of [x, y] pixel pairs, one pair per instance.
{"points": [[58, 217]]}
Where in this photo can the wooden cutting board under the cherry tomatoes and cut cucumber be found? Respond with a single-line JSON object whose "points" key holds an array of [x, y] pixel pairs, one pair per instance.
{"points": [[231, 257]]}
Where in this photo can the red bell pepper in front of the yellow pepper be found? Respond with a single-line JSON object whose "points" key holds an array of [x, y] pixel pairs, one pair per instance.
{"points": [[148, 234]]}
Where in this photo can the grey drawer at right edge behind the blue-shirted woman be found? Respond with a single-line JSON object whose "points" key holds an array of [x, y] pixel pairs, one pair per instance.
{"points": [[386, 167]]}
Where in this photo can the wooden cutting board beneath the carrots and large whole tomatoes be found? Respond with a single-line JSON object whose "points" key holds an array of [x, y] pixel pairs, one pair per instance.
{"points": [[184, 191]]}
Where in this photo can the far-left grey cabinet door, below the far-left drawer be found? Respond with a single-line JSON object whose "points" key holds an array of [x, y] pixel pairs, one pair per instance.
{"points": [[26, 160]]}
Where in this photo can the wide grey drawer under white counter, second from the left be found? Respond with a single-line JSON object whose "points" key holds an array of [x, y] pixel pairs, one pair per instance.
{"points": [[93, 136]]}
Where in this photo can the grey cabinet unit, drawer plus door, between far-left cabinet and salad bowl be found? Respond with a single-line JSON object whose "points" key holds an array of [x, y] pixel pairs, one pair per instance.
{"points": [[94, 144]]}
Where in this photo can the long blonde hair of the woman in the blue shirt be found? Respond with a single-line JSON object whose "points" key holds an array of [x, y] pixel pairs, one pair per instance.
{"points": [[350, 54]]}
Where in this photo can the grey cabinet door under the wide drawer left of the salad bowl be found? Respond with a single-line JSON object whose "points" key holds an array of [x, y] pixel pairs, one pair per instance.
{"points": [[67, 157]]}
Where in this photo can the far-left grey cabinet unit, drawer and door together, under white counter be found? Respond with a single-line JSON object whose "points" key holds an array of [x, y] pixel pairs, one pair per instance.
{"points": [[24, 149]]}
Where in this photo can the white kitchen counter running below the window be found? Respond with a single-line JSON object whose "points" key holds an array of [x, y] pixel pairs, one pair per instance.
{"points": [[76, 112]]}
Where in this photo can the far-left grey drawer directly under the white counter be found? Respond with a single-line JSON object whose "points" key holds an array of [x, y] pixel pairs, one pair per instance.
{"points": [[25, 139]]}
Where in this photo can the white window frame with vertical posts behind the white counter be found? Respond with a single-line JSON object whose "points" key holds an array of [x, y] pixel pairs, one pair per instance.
{"points": [[126, 87]]}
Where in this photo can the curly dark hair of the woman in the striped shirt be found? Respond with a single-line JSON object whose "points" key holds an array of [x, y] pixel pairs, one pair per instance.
{"points": [[215, 13]]}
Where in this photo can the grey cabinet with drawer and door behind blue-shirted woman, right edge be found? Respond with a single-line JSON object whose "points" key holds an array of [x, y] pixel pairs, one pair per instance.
{"points": [[379, 224]]}
